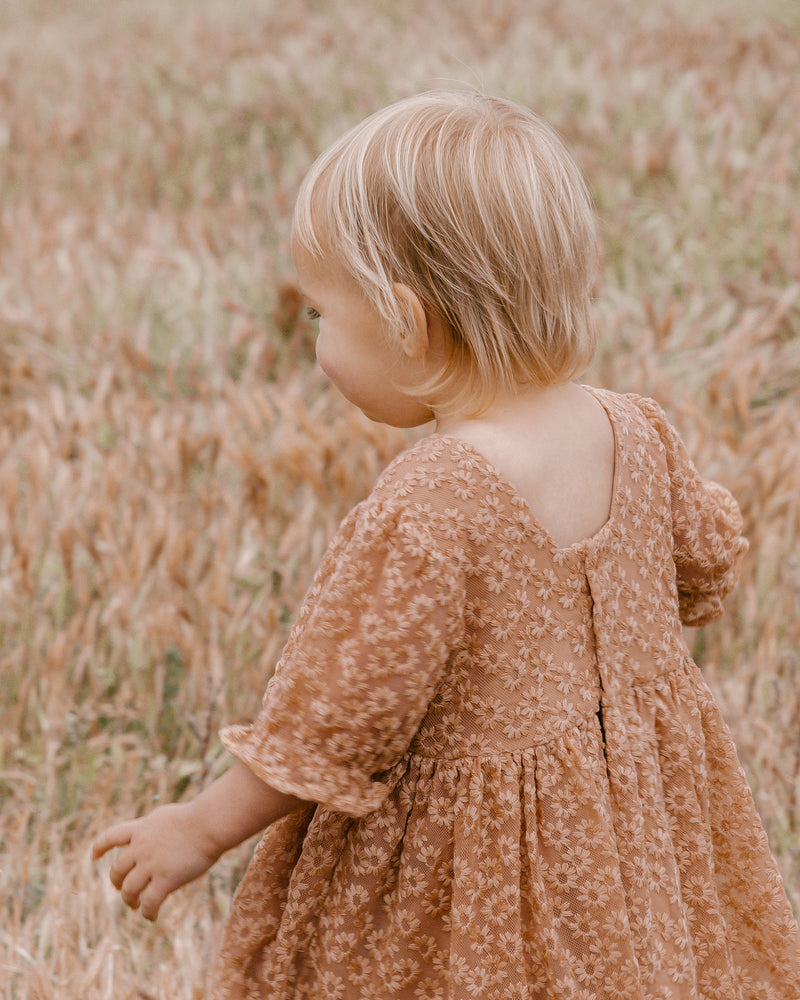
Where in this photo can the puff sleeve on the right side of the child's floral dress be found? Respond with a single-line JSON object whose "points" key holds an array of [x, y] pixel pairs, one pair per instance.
{"points": [[708, 545]]}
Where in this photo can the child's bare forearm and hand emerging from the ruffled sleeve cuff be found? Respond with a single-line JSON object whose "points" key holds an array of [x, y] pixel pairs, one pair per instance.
{"points": [[177, 843]]}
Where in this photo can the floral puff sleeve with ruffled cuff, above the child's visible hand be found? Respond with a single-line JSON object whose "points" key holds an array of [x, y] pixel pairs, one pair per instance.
{"points": [[362, 663]]}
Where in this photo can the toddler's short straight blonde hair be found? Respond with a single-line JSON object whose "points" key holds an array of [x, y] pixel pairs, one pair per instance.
{"points": [[475, 204]]}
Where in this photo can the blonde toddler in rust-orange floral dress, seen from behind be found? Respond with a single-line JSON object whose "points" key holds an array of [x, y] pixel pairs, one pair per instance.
{"points": [[486, 763]]}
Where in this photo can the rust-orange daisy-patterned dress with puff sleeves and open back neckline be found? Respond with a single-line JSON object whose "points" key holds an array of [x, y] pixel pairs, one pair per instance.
{"points": [[526, 790]]}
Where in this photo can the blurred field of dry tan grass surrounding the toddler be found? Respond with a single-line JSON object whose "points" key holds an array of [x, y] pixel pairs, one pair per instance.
{"points": [[172, 463]]}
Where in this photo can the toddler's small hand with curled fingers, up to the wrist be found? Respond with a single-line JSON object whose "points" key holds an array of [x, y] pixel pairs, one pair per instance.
{"points": [[159, 853]]}
